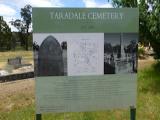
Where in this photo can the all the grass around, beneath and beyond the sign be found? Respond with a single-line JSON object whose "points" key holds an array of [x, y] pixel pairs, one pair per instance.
{"points": [[21, 105]]}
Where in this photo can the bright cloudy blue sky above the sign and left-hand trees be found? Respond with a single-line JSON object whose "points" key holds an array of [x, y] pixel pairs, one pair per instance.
{"points": [[10, 9]]}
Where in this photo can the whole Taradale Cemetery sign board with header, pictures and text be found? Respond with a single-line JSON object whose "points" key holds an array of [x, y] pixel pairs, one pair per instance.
{"points": [[85, 58]]}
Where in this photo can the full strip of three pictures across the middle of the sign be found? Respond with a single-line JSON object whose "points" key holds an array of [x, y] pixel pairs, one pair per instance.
{"points": [[74, 54]]}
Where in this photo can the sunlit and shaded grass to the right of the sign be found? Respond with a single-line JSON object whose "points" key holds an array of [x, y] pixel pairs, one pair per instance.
{"points": [[148, 103]]}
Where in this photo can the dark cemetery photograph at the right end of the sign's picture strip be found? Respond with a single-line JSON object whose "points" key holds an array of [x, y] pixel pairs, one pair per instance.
{"points": [[120, 53]]}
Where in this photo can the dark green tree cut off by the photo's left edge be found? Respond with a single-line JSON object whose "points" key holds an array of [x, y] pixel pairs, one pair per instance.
{"points": [[5, 36]]}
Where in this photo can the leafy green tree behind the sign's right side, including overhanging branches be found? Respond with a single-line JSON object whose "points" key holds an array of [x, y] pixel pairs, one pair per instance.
{"points": [[149, 21]]}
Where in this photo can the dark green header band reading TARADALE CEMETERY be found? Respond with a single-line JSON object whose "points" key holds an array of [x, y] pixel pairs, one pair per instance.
{"points": [[85, 20]]}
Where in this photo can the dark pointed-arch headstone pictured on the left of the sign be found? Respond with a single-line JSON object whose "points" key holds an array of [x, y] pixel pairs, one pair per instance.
{"points": [[50, 60]]}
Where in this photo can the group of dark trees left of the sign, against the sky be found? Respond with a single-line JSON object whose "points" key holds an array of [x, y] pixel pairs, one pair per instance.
{"points": [[23, 38]]}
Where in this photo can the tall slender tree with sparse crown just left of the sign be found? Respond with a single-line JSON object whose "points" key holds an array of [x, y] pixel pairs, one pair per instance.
{"points": [[26, 14]]}
